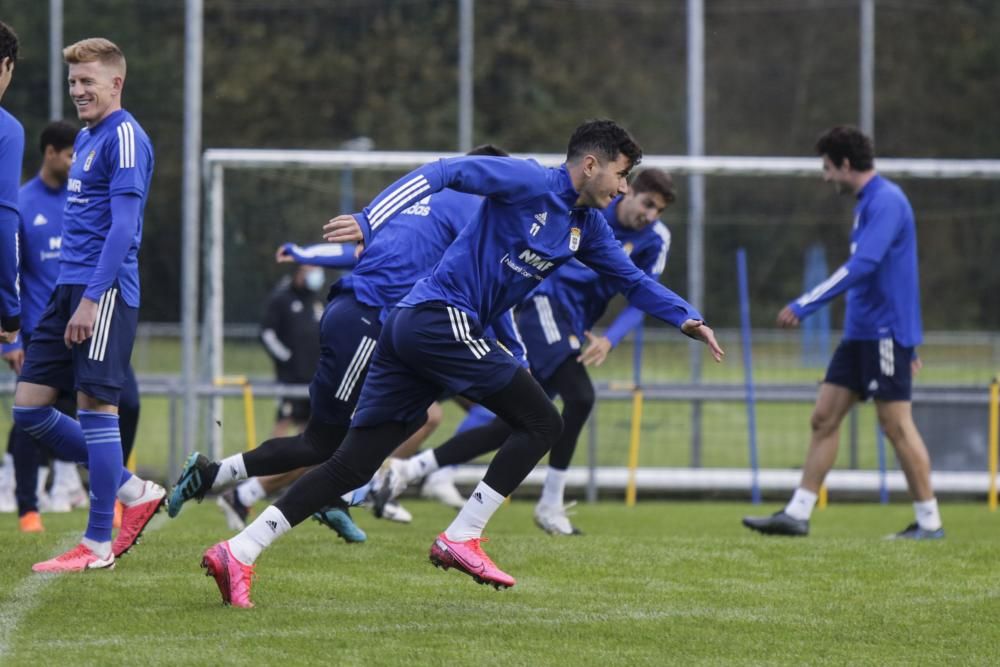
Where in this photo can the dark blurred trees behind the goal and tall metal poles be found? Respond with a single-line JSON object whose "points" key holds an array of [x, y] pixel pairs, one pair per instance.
{"points": [[311, 74]]}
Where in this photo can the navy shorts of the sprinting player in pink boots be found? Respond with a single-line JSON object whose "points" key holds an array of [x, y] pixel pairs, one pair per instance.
{"points": [[425, 353]]}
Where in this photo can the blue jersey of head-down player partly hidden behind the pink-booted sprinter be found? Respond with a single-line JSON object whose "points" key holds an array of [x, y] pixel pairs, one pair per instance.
{"points": [[584, 296]]}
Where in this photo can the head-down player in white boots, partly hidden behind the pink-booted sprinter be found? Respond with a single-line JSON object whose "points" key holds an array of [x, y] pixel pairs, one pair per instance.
{"points": [[553, 321]]}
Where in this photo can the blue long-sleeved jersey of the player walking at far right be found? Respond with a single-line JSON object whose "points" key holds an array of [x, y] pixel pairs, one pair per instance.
{"points": [[880, 278]]}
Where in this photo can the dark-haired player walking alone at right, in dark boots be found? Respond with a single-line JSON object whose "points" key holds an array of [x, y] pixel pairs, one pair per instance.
{"points": [[882, 328]]}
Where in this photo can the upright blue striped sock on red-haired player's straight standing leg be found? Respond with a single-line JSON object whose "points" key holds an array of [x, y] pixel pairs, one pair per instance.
{"points": [[104, 449]]}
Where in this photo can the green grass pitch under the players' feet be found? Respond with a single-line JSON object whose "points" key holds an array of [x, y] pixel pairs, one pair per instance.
{"points": [[662, 583]]}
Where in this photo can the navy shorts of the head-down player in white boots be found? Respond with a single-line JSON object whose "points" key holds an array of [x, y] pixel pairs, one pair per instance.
{"points": [[548, 336]]}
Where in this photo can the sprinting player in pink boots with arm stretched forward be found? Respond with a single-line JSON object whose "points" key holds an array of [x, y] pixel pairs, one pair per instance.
{"points": [[532, 220]]}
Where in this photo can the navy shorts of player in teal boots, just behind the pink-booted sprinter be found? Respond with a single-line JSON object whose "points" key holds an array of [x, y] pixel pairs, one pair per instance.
{"points": [[348, 331]]}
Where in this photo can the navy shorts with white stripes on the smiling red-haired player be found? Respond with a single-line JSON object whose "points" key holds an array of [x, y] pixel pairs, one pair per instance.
{"points": [[95, 367]]}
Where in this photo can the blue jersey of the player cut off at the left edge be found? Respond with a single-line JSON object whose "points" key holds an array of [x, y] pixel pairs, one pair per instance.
{"points": [[11, 157]]}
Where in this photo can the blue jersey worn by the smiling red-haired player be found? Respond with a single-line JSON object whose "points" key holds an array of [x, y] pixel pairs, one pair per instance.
{"points": [[113, 158]]}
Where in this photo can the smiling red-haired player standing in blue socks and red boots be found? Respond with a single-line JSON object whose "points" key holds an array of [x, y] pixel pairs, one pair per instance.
{"points": [[84, 340]]}
